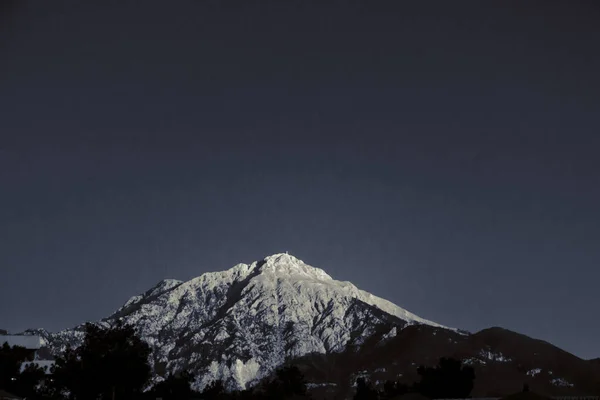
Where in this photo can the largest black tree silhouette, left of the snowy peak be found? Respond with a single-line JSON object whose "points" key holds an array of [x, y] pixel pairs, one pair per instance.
{"points": [[111, 364]]}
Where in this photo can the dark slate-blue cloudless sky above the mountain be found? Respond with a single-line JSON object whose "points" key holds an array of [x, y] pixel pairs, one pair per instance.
{"points": [[443, 155]]}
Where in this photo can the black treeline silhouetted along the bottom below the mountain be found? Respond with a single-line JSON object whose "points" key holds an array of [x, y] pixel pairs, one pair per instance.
{"points": [[112, 364]]}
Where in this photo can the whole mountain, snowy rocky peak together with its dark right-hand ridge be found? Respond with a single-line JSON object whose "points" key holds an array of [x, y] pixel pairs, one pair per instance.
{"points": [[240, 324]]}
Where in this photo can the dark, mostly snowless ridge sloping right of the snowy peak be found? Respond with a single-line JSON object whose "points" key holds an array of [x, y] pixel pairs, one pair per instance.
{"points": [[503, 362]]}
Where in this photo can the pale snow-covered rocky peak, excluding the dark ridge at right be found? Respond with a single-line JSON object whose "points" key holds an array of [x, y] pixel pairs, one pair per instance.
{"points": [[240, 324]]}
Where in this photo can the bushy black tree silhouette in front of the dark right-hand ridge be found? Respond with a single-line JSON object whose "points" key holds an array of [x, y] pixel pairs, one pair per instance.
{"points": [[448, 380]]}
